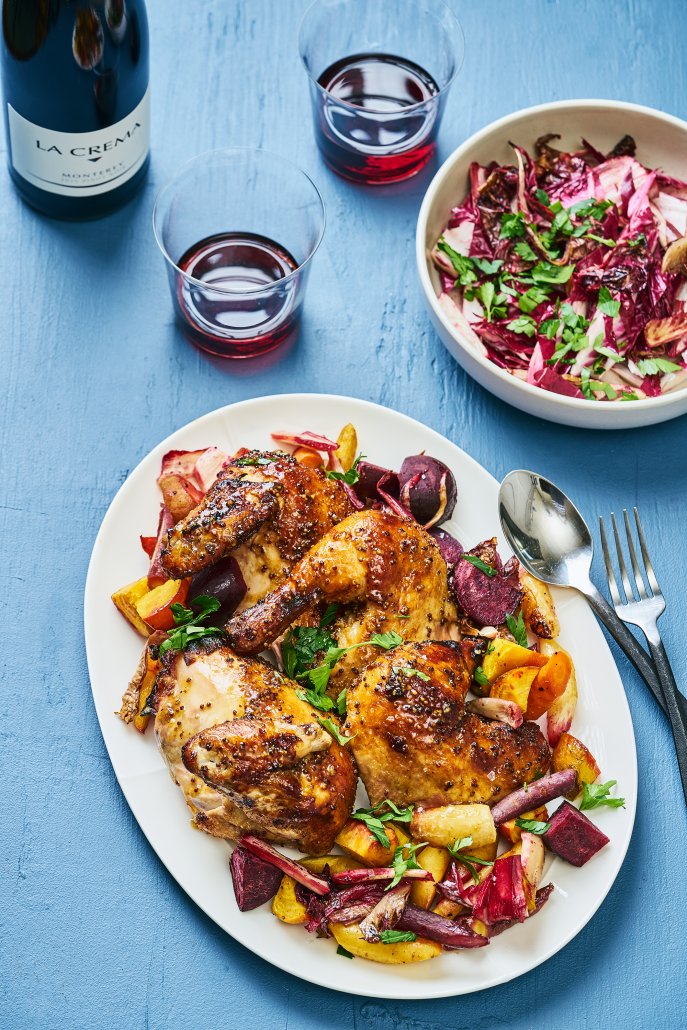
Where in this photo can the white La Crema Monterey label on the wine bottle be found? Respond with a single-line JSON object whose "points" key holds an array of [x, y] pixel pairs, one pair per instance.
{"points": [[81, 164]]}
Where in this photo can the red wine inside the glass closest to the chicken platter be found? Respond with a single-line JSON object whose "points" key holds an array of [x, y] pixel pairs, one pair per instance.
{"points": [[246, 306]]}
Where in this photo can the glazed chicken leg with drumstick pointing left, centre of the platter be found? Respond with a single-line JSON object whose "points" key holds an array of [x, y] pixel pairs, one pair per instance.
{"points": [[386, 570]]}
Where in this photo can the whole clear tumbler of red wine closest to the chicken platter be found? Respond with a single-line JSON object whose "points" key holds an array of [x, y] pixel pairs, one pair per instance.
{"points": [[238, 230]]}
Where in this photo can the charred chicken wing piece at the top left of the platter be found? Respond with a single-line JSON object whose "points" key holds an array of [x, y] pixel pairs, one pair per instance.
{"points": [[267, 514]]}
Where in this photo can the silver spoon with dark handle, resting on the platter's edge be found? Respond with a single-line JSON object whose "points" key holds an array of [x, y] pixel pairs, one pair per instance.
{"points": [[553, 541]]}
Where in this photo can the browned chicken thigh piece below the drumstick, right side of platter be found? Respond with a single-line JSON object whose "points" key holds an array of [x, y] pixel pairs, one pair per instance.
{"points": [[415, 743]]}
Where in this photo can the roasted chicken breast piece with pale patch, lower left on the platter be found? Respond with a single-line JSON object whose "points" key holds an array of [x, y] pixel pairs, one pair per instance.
{"points": [[249, 754]]}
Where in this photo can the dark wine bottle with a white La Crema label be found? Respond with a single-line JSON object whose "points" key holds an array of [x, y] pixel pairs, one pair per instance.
{"points": [[76, 81]]}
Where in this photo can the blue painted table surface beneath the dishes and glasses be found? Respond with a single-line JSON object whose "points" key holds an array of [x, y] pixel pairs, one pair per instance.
{"points": [[95, 934]]}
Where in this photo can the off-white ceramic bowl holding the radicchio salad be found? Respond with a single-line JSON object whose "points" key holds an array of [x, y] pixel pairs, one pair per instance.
{"points": [[662, 141]]}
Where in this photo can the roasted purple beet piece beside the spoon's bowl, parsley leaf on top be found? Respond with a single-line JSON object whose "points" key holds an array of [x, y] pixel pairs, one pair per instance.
{"points": [[486, 590]]}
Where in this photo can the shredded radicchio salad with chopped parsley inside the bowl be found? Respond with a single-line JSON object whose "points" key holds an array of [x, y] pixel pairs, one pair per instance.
{"points": [[569, 271]]}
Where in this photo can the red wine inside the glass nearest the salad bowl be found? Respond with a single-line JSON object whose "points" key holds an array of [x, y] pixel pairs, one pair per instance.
{"points": [[377, 134]]}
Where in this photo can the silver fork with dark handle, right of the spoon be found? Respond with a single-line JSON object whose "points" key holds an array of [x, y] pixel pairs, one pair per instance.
{"points": [[642, 606]]}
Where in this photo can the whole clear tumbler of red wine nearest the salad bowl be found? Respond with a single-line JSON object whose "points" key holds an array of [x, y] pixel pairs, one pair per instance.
{"points": [[380, 77]]}
